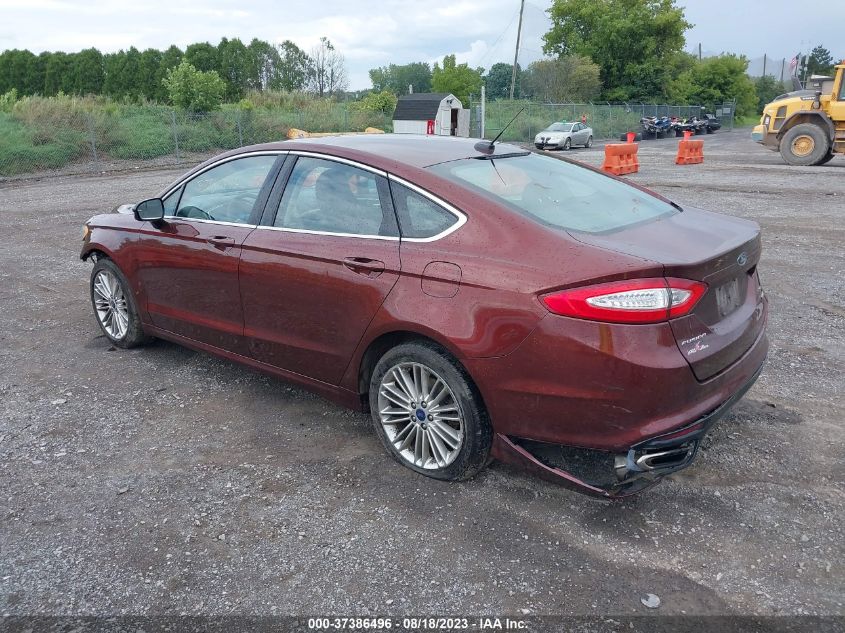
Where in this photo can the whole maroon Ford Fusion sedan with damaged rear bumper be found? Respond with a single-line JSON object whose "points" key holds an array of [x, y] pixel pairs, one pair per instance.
{"points": [[479, 301]]}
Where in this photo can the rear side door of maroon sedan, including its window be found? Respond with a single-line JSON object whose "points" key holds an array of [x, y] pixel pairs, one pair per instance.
{"points": [[319, 267]]}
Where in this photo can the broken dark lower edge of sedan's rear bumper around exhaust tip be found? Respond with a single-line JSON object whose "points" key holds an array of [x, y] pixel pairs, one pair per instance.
{"points": [[616, 475]]}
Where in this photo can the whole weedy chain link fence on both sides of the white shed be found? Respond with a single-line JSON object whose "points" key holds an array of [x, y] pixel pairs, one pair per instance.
{"points": [[46, 135]]}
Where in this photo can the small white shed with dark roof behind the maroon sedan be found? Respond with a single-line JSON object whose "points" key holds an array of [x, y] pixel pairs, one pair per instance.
{"points": [[441, 114]]}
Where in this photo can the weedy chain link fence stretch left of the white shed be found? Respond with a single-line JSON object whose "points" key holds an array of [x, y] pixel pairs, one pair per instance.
{"points": [[44, 136]]}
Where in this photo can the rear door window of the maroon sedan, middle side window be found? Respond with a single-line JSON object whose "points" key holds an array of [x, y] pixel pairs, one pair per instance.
{"points": [[330, 197]]}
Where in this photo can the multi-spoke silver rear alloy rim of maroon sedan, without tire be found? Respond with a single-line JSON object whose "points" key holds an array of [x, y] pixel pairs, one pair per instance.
{"points": [[420, 416]]}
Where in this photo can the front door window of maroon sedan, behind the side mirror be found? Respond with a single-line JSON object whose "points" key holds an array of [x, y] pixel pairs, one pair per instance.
{"points": [[225, 193]]}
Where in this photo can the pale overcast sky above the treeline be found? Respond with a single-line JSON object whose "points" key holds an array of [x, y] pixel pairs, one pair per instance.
{"points": [[374, 33]]}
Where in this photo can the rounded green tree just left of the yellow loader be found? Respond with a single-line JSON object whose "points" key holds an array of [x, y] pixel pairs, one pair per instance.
{"points": [[715, 80]]}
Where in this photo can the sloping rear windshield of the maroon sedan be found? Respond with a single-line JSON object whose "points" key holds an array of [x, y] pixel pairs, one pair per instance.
{"points": [[557, 193]]}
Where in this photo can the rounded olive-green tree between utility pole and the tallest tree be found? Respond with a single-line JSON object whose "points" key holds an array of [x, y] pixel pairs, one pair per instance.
{"points": [[568, 79]]}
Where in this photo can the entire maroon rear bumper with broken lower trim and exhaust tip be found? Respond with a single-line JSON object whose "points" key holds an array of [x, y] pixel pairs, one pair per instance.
{"points": [[620, 397]]}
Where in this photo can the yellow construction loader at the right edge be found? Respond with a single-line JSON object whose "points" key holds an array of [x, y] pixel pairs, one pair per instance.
{"points": [[807, 127]]}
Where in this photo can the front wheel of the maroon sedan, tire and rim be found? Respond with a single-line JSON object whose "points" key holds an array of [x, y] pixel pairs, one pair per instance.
{"points": [[114, 306]]}
